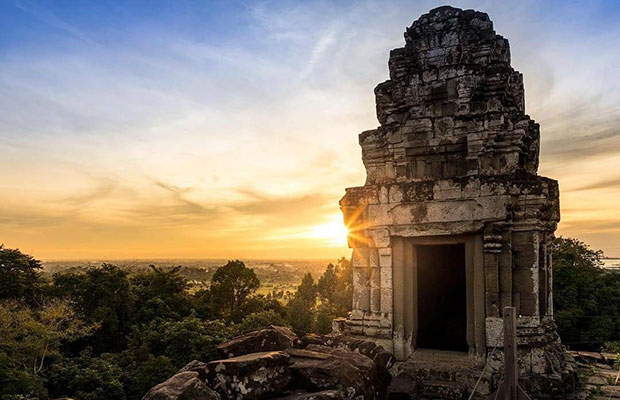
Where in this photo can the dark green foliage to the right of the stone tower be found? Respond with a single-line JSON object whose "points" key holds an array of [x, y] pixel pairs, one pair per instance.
{"points": [[586, 297]]}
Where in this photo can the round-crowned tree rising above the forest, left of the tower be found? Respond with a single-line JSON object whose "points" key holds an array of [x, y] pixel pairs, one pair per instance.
{"points": [[231, 286]]}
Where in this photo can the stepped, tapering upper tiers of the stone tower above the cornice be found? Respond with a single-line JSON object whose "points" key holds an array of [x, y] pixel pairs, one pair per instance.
{"points": [[453, 106]]}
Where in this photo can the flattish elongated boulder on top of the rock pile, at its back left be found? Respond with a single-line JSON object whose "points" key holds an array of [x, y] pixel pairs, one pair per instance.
{"points": [[273, 338]]}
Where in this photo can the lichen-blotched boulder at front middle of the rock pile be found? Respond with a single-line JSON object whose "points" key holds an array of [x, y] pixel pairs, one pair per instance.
{"points": [[251, 376]]}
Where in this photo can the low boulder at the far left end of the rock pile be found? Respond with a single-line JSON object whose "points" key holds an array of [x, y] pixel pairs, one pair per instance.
{"points": [[182, 386]]}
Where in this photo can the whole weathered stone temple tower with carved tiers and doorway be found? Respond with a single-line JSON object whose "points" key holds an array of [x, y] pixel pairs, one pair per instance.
{"points": [[453, 222]]}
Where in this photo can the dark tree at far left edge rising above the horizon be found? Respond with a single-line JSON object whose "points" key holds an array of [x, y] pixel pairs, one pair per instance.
{"points": [[19, 275]]}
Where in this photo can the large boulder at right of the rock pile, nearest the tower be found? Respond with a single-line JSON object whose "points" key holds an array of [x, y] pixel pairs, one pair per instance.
{"points": [[317, 371]]}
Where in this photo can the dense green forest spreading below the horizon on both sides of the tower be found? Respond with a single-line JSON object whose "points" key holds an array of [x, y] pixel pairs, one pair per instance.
{"points": [[102, 333]]}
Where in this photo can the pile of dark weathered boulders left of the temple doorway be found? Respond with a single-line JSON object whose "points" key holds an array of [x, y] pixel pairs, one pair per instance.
{"points": [[275, 363]]}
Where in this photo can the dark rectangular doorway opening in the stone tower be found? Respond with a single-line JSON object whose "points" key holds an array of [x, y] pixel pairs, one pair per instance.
{"points": [[442, 308]]}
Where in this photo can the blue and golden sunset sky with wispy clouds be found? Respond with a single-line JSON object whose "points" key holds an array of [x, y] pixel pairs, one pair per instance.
{"points": [[228, 129]]}
